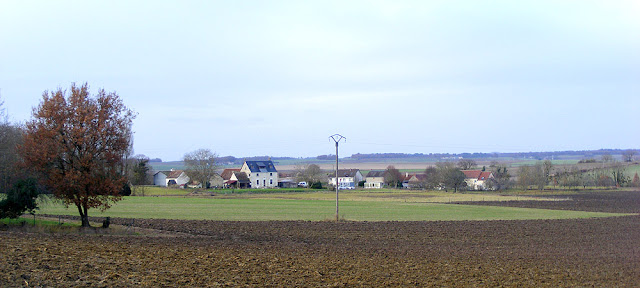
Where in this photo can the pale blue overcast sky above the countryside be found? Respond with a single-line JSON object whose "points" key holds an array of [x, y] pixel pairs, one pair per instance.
{"points": [[277, 78]]}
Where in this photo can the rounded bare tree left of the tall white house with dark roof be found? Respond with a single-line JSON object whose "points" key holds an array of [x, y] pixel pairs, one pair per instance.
{"points": [[202, 165]]}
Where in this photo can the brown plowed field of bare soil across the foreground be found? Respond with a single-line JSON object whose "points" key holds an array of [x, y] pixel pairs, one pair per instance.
{"points": [[603, 252]]}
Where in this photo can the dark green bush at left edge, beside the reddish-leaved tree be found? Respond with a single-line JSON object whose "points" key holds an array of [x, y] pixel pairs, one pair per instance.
{"points": [[21, 198]]}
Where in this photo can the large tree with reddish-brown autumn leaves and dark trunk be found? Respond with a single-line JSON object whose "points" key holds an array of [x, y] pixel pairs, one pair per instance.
{"points": [[77, 143]]}
